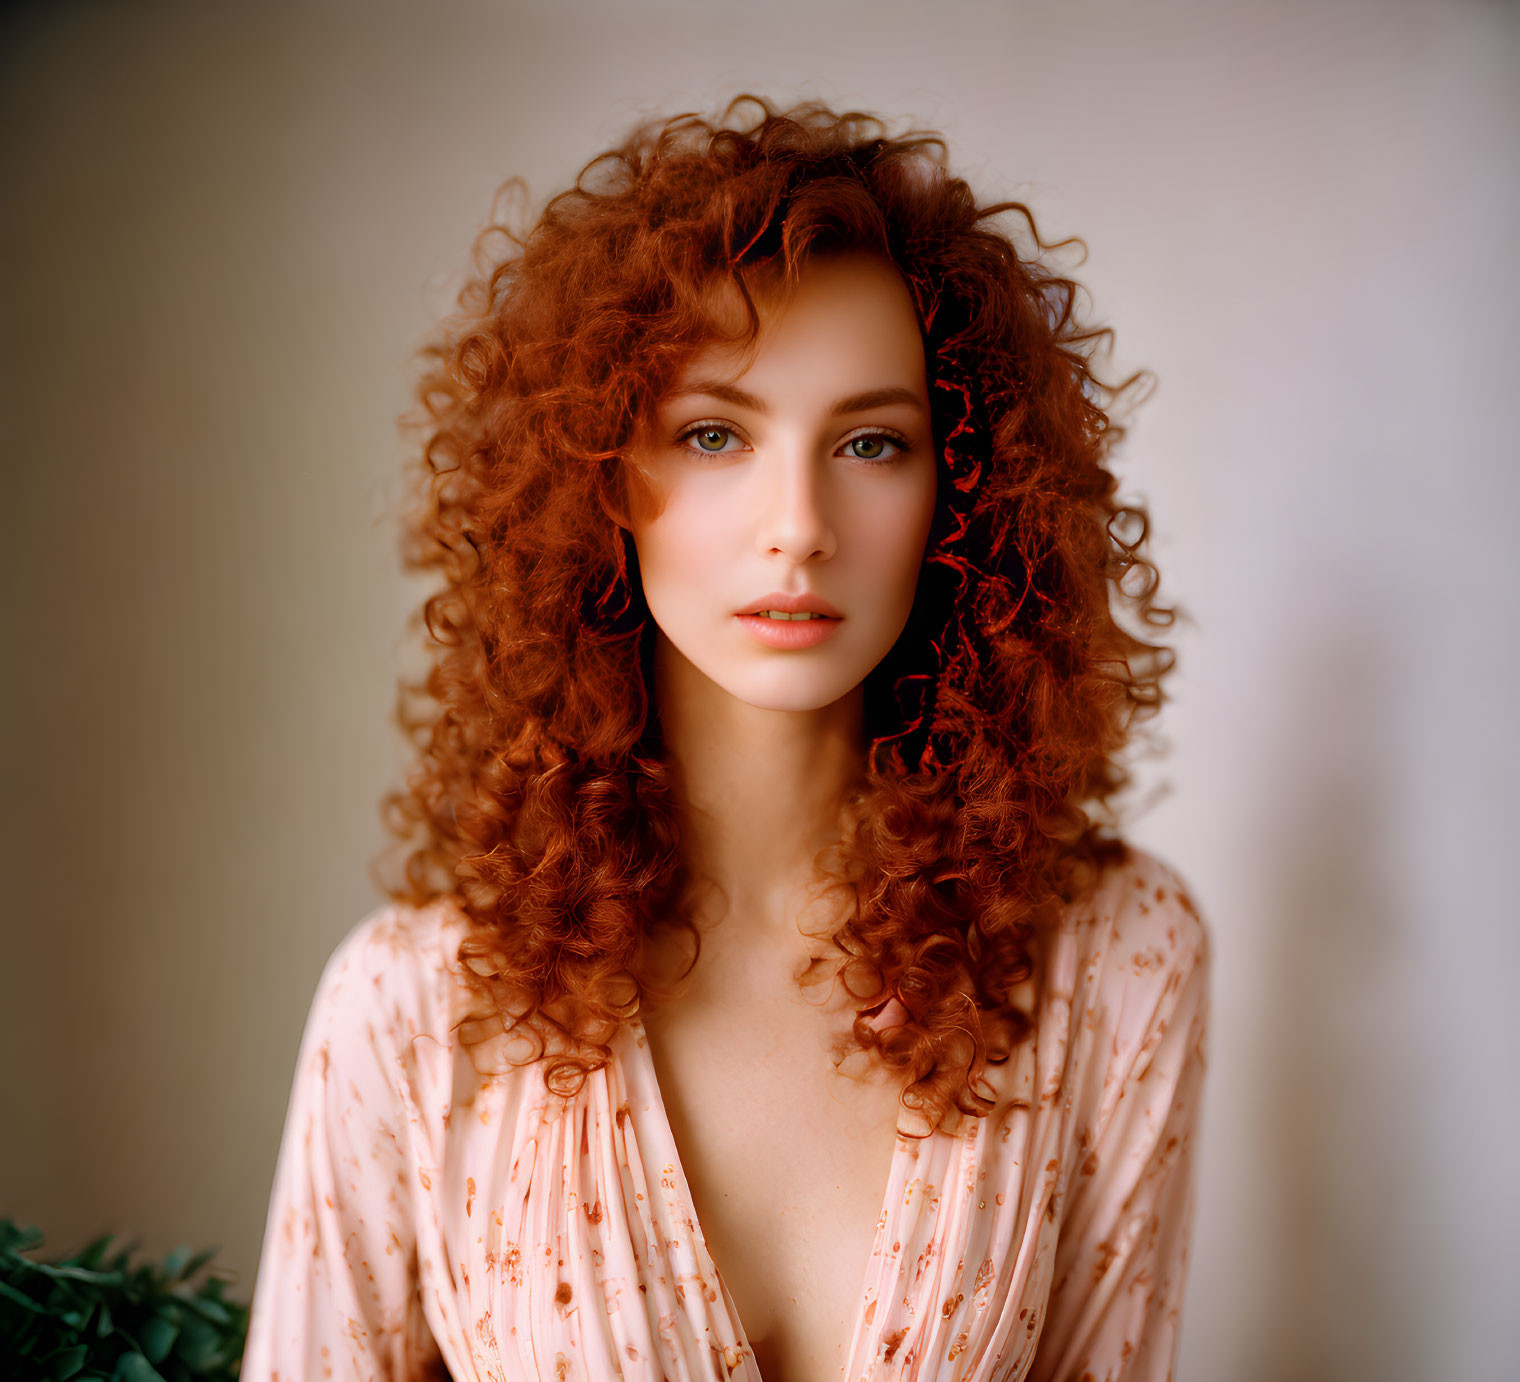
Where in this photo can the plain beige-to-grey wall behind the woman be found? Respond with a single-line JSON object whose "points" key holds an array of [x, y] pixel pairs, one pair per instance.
{"points": [[226, 232]]}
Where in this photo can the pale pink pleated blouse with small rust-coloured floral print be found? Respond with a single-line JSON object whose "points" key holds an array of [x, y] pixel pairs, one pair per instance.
{"points": [[429, 1222]]}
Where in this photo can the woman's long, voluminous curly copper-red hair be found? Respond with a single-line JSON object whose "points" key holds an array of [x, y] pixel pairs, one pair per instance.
{"points": [[542, 804]]}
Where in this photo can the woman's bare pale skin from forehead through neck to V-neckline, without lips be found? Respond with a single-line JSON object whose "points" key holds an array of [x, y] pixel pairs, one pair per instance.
{"points": [[762, 486]]}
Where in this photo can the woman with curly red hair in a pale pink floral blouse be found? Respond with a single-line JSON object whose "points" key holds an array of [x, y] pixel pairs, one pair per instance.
{"points": [[768, 991]]}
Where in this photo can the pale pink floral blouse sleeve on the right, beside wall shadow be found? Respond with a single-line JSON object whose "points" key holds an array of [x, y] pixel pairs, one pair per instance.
{"points": [[1115, 1308]]}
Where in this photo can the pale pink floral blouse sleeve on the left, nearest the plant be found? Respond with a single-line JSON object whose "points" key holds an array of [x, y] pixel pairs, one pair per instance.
{"points": [[337, 1295]]}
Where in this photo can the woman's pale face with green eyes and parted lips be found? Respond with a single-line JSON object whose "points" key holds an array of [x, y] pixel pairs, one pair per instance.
{"points": [[802, 472]]}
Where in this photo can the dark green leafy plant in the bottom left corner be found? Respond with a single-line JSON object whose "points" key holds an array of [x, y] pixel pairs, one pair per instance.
{"points": [[100, 1320]]}
